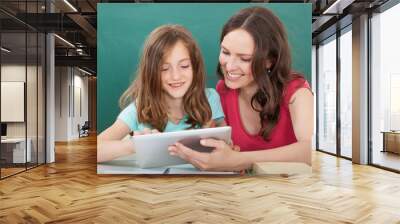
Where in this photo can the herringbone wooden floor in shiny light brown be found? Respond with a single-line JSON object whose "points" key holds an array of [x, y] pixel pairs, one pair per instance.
{"points": [[70, 191]]}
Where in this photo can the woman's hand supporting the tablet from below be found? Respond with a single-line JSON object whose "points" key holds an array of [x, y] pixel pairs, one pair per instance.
{"points": [[224, 157]]}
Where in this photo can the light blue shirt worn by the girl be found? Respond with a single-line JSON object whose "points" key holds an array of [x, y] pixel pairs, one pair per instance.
{"points": [[129, 114]]}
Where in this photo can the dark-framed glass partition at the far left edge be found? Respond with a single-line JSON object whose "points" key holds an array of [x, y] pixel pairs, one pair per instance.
{"points": [[22, 64]]}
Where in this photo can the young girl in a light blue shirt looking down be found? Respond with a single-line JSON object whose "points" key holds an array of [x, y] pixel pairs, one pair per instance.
{"points": [[168, 94]]}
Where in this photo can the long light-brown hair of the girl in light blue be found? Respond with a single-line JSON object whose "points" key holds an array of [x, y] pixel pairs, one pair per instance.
{"points": [[146, 90]]}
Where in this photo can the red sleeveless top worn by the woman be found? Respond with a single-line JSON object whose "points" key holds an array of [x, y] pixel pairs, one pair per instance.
{"points": [[282, 134]]}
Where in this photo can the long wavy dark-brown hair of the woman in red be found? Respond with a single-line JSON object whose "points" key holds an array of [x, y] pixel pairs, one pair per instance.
{"points": [[271, 43]]}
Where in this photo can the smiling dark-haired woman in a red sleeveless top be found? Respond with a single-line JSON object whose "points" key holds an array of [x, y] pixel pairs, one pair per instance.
{"points": [[268, 106]]}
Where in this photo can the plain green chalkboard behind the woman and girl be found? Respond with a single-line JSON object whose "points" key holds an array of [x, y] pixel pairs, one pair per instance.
{"points": [[123, 28]]}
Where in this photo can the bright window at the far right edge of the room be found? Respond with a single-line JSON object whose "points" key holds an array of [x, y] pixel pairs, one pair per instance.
{"points": [[385, 89]]}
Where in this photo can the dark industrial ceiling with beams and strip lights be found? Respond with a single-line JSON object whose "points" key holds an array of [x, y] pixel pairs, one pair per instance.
{"points": [[76, 22]]}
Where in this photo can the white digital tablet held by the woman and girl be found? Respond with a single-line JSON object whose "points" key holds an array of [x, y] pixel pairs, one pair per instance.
{"points": [[152, 149]]}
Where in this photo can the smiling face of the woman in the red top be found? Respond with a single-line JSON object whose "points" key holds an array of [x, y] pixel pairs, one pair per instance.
{"points": [[235, 58]]}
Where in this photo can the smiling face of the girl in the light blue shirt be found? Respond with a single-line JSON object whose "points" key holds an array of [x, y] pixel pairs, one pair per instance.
{"points": [[176, 71]]}
